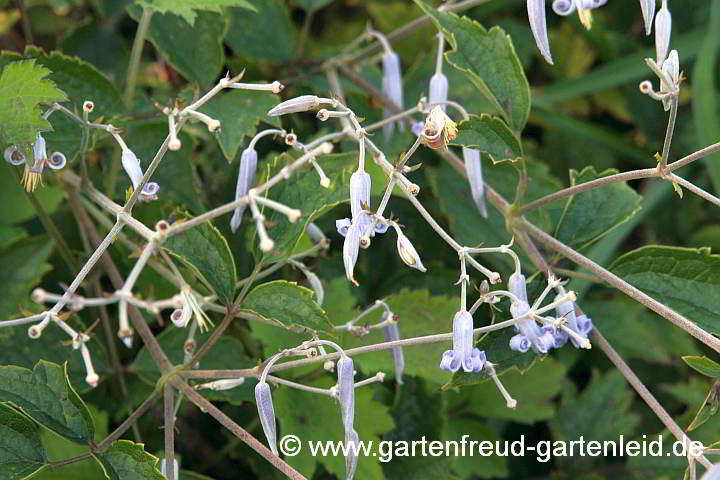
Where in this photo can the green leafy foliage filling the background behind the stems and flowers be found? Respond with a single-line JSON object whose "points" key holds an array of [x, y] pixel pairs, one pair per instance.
{"points": [[586, 116]]}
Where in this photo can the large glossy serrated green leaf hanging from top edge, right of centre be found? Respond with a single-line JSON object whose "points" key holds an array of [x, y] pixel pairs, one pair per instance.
{"points": [[489, 60]]}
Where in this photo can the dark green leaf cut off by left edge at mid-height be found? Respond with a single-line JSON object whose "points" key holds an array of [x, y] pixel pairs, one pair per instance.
{"points": [[24, 263]]}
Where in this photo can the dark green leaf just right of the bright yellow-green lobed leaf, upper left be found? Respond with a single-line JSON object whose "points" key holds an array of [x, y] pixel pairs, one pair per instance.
{"points": [[80, 81]]}
